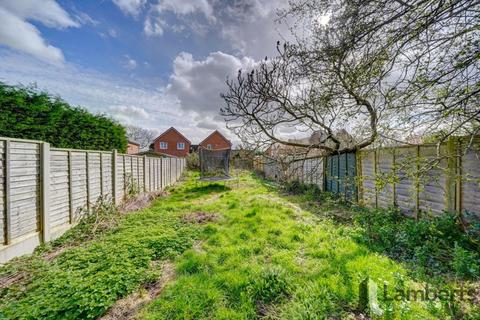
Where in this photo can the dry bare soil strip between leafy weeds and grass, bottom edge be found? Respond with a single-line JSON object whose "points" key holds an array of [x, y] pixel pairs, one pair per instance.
{"points": [[128, 307]]}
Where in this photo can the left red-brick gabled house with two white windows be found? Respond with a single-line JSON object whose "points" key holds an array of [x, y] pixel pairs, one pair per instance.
{"points": [[172, 142]]}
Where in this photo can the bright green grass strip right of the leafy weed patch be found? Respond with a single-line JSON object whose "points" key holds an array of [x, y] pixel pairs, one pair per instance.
{"points": [[261, 261]]}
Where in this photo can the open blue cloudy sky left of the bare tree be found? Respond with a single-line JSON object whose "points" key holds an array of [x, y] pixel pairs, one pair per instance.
{"points": [[149, 63]]}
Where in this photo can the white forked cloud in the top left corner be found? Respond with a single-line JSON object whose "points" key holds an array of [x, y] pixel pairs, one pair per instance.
{"points": [[17, 33]]}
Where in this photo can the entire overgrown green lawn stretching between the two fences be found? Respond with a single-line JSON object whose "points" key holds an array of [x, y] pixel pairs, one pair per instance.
{"points": [[238, 252]]}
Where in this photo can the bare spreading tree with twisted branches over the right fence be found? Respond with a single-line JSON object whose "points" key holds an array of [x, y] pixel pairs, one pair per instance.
{"points": [[380, 70]]}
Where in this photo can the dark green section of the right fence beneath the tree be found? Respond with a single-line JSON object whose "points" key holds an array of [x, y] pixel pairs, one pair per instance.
{"points": [[340, 172]]}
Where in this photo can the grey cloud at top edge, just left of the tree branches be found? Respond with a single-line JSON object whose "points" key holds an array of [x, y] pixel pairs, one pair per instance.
{"points": [[250, 27]]}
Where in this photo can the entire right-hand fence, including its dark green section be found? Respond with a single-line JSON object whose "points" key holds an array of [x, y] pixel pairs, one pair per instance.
{"points": [[415, 179]]}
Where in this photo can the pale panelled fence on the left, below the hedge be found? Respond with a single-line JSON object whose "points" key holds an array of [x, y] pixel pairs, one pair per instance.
{"points": [[44, 191]]}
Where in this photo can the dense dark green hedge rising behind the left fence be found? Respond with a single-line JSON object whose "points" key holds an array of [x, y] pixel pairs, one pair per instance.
{"points": [[29, 114]]}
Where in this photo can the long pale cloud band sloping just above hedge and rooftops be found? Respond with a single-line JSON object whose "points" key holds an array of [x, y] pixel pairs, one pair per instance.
{"points": [[129, 102]]}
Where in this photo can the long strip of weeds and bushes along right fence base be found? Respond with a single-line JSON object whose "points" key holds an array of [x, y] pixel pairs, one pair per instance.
{"points": [[433, 245]]}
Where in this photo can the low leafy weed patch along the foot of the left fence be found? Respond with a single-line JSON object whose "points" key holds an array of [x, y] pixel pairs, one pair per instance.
{"points": [[105, 257]]}
